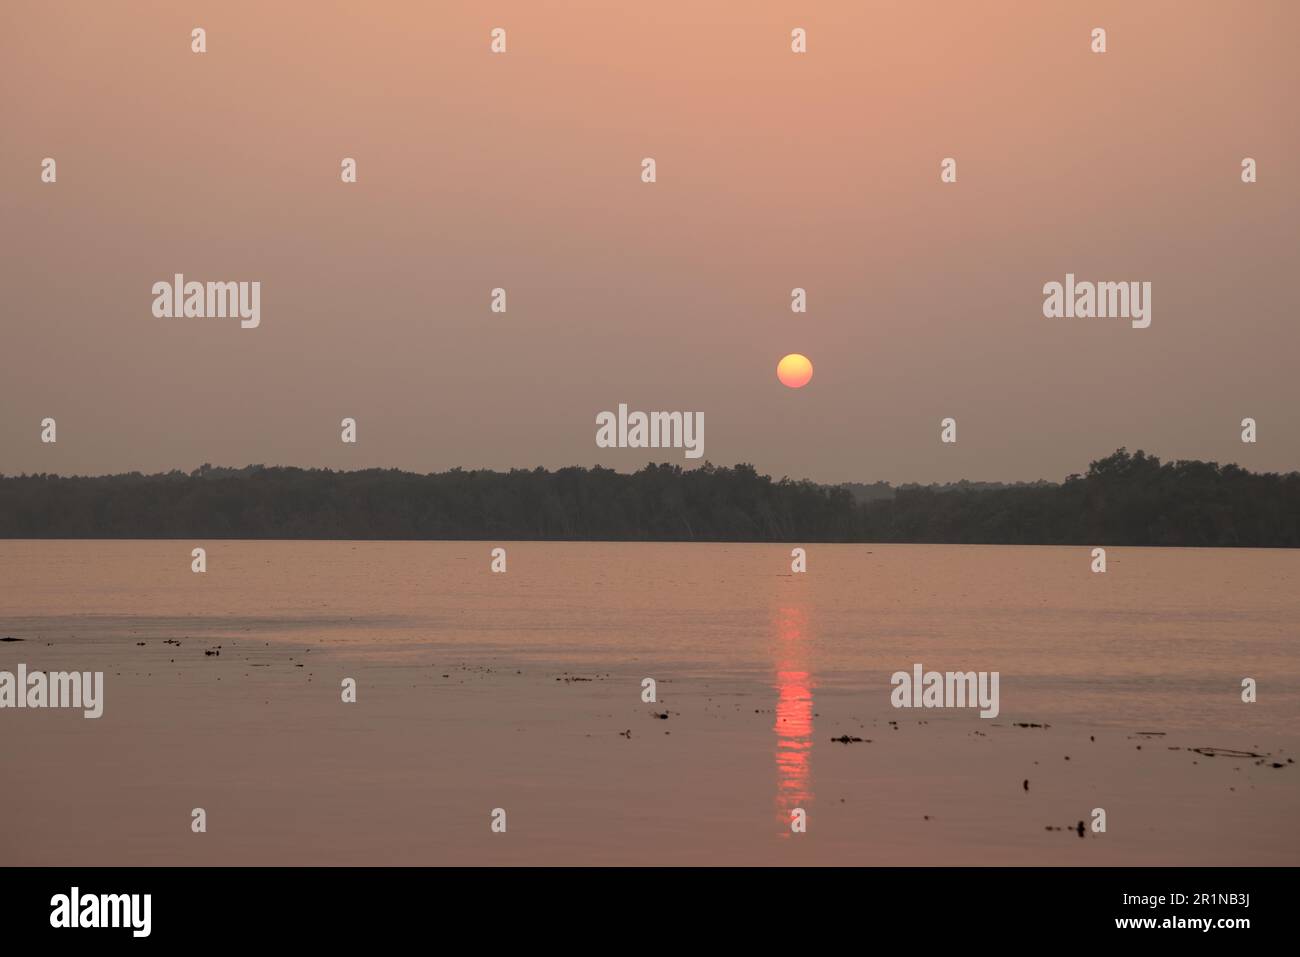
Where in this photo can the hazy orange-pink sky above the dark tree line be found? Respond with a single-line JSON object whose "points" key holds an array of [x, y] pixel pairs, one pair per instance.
{"points": [[523, 171]]}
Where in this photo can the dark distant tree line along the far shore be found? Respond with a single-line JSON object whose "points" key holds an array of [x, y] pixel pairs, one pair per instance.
{"points": [[1123, 500]]}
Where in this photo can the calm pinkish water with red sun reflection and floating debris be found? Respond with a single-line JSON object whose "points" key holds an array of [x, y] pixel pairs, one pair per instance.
{"points": [[476, 685]]}
